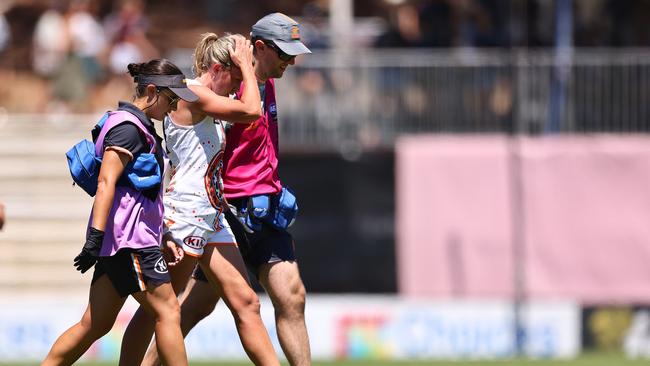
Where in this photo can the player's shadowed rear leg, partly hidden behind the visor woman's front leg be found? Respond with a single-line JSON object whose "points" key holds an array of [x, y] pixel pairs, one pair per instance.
{"points": [[141, 327]]}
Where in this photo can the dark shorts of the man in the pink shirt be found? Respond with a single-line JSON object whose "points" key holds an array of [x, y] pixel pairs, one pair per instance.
{"points": [[270, 245]]}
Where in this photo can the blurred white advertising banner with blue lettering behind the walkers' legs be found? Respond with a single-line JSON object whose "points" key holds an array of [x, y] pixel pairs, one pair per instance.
{"points": [[340, 327]]}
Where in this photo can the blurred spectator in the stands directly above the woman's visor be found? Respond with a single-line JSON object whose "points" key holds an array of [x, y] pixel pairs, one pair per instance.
{"points": [[126, 29]]}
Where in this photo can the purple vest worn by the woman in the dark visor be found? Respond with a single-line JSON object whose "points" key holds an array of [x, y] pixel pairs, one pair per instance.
{"points": [[134, 221]]}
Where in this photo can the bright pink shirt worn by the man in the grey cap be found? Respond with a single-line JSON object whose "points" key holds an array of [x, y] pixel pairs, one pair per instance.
{"points": [[251, 156]]}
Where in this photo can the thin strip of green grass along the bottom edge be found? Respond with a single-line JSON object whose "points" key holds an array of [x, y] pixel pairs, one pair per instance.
{"points": [[590, 359]]}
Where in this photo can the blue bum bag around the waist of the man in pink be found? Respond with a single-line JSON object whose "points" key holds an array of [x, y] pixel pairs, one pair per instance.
{"points": [[278, 211]]}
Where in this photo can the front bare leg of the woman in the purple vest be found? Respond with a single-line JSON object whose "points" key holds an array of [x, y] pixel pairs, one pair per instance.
{"points": [[161, 302]]}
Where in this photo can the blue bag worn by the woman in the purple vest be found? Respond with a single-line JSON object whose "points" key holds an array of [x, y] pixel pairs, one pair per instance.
{"points": [[84, 158]]}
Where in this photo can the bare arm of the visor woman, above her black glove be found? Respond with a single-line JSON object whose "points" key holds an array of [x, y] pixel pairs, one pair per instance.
{"points": [[113, 164]]}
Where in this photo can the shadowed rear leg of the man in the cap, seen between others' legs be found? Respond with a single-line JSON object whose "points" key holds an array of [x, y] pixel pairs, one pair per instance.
{"points": [[197, 302]]}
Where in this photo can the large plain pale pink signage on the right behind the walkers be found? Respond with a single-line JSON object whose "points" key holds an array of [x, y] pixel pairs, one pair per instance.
{"points": [[585, 223]]}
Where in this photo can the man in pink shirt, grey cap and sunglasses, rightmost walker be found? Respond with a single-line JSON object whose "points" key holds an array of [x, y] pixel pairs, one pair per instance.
{"points": [[251, 170]]}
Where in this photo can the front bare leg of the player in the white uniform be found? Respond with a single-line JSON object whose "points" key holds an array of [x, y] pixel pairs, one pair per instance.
{"points": [[225, 269]]}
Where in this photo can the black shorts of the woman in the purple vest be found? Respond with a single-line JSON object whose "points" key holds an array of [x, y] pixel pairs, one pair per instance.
{"points": [[131, 270]]}
